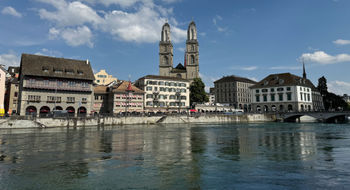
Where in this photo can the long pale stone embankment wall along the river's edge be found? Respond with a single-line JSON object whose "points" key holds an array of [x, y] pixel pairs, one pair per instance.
{"points": [[79, 122]]}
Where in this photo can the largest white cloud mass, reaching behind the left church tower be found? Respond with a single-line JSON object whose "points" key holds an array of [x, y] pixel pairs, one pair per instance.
{"points": [[143, 25]]}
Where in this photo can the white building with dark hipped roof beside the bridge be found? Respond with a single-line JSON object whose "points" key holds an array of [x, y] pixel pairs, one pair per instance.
{"points": [[282, 92]]}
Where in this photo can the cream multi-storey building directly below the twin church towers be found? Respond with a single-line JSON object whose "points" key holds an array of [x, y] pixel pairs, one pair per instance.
{"points": [[165, 94]]}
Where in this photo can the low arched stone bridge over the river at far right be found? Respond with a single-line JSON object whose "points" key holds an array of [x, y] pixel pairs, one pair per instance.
{"points": [[331, 117]]}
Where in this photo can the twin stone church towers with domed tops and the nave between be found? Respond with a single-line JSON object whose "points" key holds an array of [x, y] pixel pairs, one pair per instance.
{"points": [[190, 69]]}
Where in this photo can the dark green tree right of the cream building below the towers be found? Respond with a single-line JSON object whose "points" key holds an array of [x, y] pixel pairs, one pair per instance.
{"points": [[197, 92]]}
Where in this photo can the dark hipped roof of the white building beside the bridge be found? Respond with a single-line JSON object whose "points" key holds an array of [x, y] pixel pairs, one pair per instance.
{"points": [[283, 79]]}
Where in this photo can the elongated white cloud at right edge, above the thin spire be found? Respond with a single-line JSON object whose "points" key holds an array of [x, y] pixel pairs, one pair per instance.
{"points": [[323, 58]]}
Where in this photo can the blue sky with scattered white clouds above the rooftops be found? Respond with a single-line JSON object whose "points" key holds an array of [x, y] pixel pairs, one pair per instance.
{"points": [[248, 38]]}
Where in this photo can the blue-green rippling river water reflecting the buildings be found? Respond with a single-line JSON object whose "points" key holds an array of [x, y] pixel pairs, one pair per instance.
{"points": [[229, 156]]}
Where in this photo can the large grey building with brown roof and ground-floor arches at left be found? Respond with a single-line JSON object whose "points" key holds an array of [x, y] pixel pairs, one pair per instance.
{"points": [[49, 83]]}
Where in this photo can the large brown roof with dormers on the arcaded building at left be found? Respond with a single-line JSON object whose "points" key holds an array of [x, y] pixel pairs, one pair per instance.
{"points": [[44, 66]]}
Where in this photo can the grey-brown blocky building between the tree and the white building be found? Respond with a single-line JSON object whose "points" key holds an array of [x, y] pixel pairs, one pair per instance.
{"points": [[234, 91]]}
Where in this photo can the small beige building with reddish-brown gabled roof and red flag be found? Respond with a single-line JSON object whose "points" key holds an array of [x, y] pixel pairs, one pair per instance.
{"points": [[125, 97]]}
